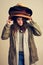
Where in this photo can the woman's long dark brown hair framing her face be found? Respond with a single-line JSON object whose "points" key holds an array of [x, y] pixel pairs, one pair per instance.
{"points": [[15, 25]]}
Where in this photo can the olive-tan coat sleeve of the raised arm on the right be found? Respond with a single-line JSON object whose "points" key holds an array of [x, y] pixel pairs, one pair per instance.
{"points": [[35, 28]]}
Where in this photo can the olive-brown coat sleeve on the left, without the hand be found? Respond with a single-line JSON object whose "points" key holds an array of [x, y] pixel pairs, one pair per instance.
{"points": [[5, 32]]}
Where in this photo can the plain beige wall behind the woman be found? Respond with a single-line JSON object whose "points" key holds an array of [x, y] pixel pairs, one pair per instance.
{"points": [[37, 7]]}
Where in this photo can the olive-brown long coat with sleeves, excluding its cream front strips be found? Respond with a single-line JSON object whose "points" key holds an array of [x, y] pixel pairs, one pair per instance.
{"points": [[33, 28]]}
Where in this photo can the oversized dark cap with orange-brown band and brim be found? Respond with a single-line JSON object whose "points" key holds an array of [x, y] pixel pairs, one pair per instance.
{"points": [[19, 10]]}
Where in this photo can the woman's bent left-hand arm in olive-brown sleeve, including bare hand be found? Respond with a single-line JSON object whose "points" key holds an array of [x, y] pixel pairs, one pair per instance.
{"points": [[6, 30]]}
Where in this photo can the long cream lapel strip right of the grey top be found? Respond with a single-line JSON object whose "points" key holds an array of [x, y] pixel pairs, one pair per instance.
{"points": [[26, 48]]}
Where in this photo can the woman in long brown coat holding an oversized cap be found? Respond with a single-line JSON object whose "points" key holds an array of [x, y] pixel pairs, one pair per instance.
{"points": [[22, 49]]}
